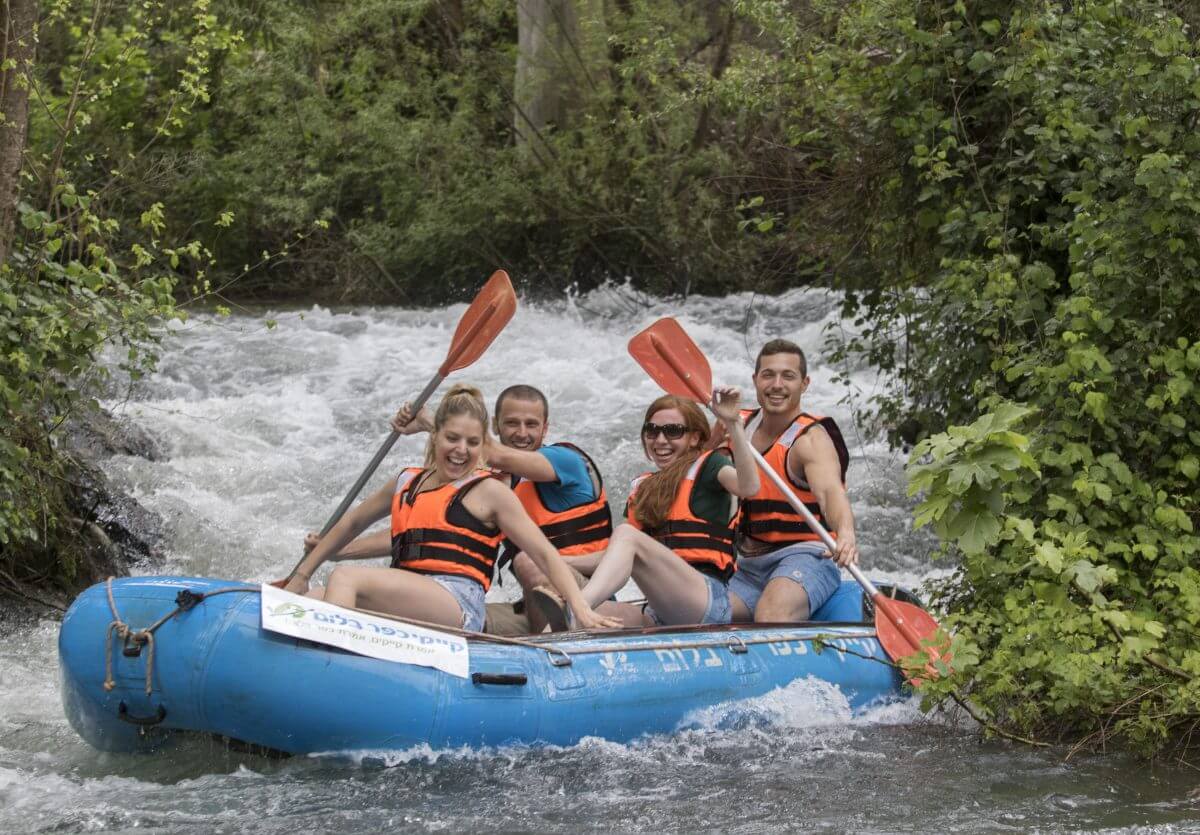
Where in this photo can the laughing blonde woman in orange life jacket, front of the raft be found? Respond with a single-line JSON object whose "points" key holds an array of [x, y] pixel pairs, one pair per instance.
{"points": [[448, 520]]}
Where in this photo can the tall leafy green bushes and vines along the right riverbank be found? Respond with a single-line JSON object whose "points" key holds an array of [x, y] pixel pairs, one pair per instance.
{"points": [[1034, 230]]}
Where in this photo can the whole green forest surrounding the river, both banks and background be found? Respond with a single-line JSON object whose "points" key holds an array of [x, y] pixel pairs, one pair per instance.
{"points": [[1006, 194]]}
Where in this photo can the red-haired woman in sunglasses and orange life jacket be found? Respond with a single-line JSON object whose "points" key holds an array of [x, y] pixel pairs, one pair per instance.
{"points": [[677, 542]]}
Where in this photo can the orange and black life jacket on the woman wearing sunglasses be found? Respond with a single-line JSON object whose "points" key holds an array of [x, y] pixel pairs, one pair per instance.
{"points": [[705, 545]]}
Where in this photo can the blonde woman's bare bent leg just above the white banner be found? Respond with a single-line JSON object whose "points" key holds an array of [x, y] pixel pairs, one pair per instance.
{"points": [[393, 592]]}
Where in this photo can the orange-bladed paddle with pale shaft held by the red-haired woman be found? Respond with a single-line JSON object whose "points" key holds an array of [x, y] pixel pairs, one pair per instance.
{"points": [[676, 363]]}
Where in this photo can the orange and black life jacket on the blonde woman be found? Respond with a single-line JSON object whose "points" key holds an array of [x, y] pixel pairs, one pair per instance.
{"points": [[434, 533]]}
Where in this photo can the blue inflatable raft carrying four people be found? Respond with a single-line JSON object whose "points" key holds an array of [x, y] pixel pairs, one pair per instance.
{"points": [[212, 669]]}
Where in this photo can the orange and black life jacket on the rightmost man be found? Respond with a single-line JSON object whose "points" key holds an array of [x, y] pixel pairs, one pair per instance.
{"points": [[767, 515]]}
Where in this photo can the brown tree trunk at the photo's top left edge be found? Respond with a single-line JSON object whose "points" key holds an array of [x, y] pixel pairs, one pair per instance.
{"points": [[19, 20]]}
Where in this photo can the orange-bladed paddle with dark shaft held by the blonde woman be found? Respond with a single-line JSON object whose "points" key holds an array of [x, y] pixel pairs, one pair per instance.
{"points": [[491, 310]]}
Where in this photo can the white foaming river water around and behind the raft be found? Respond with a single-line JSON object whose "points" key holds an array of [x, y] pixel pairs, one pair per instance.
{"points": [[265, 429]]}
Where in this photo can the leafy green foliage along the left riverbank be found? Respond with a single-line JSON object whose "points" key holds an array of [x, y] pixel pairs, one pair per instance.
{"points": [[92, 268]]}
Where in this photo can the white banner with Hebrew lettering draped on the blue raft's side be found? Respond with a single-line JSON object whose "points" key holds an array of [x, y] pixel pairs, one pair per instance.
{"points": [[363, 634]]}
